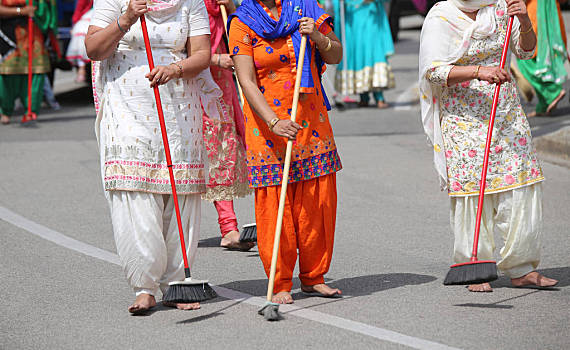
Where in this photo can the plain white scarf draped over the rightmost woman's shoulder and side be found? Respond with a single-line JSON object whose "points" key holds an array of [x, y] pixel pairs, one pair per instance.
{"points": [[446, 35]]}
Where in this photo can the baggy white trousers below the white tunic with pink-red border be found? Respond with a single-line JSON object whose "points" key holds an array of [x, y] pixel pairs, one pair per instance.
{"points": [[147, 239]]}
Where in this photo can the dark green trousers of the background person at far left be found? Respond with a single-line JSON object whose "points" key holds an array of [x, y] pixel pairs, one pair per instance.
{"points": [[15, 86]]}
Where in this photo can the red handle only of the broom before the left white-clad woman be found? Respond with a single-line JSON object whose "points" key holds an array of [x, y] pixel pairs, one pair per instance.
{"points": [[166, 147]]}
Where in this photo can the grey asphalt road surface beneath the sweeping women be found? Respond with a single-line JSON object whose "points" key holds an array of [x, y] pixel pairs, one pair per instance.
{"points": [[393, 248]]}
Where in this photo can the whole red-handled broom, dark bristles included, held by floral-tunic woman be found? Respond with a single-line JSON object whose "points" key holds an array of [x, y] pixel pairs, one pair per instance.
{"points": [[481, 271]]}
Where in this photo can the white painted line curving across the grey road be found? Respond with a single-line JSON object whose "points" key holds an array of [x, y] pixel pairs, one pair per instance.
{"points": [[316, 316]]}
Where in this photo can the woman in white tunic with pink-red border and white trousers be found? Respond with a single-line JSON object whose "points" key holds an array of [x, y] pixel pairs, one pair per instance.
{"points": [[133, 165]]}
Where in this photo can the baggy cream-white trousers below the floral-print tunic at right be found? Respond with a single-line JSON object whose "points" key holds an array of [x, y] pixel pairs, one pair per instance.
{"points": [[515, 214]]}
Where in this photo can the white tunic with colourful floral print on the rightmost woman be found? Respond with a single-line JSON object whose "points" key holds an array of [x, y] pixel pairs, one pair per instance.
{"points": [[465, 111]]}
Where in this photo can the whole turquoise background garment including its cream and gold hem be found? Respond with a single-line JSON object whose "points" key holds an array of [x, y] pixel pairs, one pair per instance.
{"points": [[369, 44]]}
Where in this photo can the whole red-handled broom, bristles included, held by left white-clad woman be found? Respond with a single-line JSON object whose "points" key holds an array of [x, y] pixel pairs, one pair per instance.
{"points": [[188, 290]]}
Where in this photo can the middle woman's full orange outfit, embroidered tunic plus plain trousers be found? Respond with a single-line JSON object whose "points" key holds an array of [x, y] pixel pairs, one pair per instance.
{"points": [[310, 209]]}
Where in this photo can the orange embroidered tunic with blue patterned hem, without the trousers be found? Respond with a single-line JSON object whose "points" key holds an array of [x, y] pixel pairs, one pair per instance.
{"points": [[314, 151]]}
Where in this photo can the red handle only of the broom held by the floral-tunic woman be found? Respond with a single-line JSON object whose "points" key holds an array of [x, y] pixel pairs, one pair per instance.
{"points": [[483, 182]]}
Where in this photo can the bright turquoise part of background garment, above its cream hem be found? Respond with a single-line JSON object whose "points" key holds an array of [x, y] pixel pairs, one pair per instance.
{"points": [[368, 36]]}
